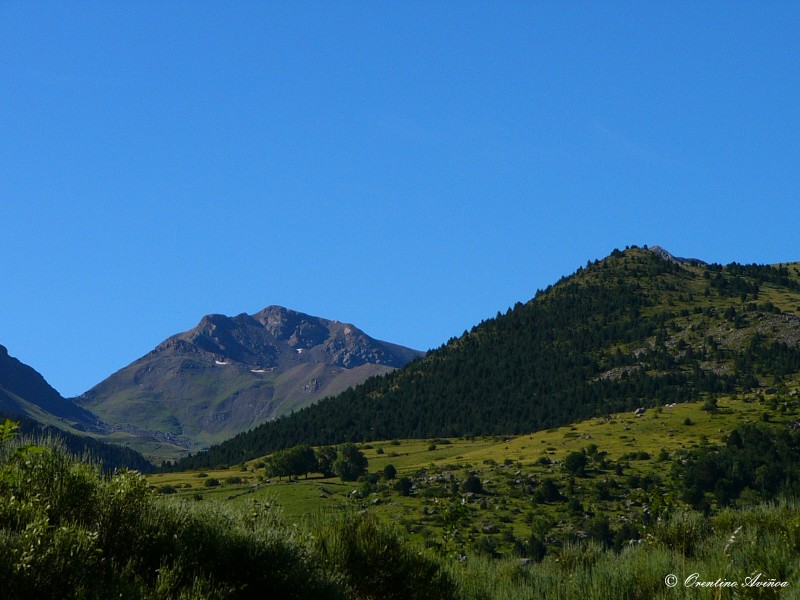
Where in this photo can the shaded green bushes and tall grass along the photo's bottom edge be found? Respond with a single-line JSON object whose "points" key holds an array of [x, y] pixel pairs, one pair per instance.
{"points": [[69, 532]]}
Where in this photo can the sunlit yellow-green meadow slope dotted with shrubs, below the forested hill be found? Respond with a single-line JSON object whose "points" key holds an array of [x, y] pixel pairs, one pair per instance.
{"points": [[629, 480]]}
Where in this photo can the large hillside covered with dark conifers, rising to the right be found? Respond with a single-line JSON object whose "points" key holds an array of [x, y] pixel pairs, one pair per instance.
{"points": [[639, 328]]}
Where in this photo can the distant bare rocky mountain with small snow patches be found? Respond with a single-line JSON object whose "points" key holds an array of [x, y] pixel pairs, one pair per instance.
{"points": [[228, 374]]}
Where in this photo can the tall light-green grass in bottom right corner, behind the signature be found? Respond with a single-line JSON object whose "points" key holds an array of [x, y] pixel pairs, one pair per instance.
{"points": [[731, 546]]}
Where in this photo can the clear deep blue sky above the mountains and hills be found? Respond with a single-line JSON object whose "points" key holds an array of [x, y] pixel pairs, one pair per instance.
{"points": [[410, 167]]}
